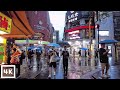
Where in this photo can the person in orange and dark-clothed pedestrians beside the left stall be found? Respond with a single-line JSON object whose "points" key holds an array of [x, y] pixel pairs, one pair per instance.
{"points": [[17, 56]]}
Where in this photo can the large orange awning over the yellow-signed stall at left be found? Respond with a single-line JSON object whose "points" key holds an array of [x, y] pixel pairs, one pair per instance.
{"points": [[20, 26]]}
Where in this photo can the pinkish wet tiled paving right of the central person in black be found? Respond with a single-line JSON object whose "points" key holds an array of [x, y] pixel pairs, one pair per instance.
{"points": [[76, 71]]}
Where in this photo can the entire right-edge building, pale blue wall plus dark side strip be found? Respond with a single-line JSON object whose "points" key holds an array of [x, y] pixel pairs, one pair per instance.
{"points": [[109, 29]]}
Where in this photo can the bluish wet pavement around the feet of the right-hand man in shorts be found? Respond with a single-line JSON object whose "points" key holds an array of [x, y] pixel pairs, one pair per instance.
{"points": [[114, 71]]}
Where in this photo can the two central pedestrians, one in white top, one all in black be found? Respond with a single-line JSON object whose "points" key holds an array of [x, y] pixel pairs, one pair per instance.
{"points": [[53, 55]]}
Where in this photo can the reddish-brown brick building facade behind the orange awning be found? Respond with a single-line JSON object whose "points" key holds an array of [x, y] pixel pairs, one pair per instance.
{"points": [[40, 22]]}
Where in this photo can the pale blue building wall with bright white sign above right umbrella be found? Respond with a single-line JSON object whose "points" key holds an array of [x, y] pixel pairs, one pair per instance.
{"points": [[106, 29]]}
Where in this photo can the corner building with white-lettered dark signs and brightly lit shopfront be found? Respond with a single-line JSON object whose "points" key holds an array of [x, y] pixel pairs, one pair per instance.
{"points": [[79, 29]]}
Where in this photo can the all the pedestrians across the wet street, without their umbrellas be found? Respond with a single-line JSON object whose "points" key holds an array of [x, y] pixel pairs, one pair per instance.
{"points": [[18, 55]]}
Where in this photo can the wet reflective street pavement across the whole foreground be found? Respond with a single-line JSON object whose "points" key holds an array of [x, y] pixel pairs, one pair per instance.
{"points": [[78, 68]]}
